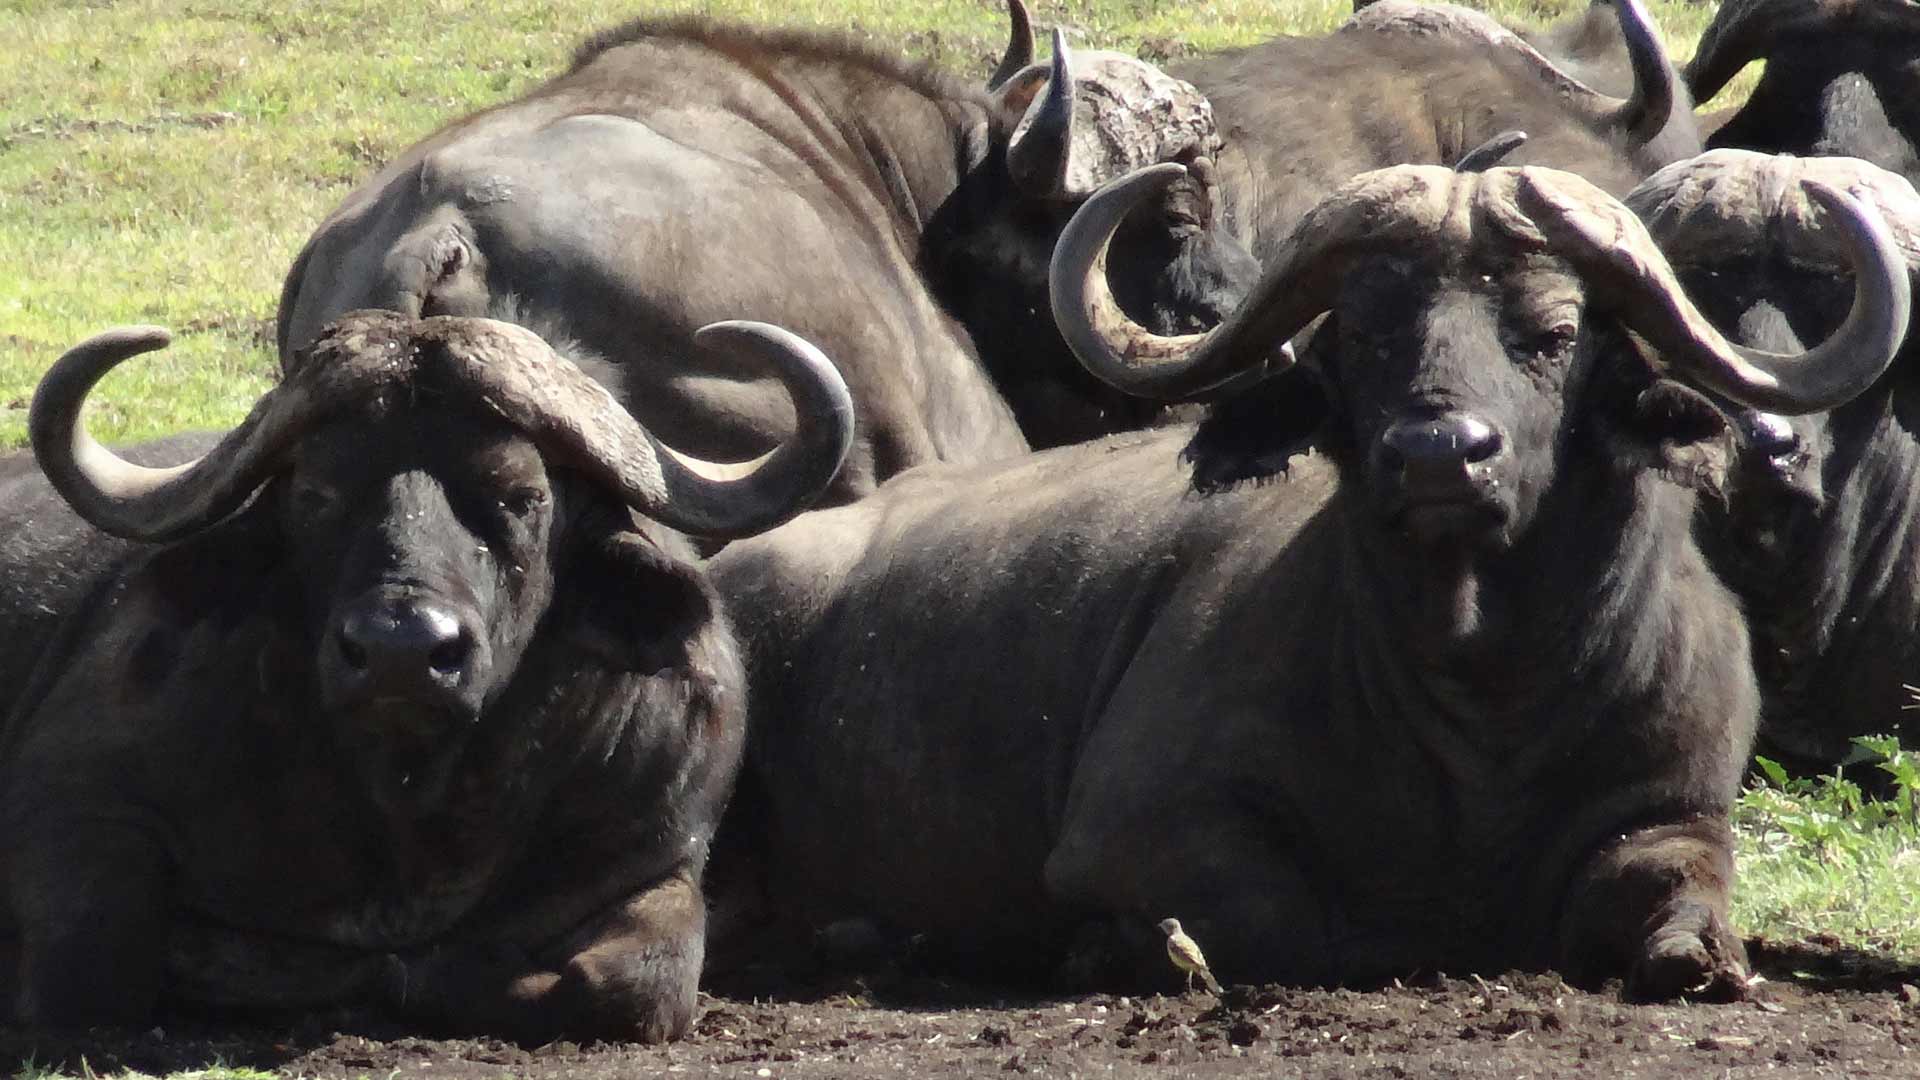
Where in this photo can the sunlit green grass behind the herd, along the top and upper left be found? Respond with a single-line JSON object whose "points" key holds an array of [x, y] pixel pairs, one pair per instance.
{"points": [[162, 160]]}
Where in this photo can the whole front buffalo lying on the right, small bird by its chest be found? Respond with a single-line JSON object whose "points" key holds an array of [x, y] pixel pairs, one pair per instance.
{"points": [[1456, 693]]}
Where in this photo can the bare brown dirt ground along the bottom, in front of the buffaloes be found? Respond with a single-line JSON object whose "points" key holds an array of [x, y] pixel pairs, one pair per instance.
{"points": [[1821, 1012]]}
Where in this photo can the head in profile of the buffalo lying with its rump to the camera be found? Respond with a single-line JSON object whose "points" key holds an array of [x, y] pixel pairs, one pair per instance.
{"points": [[1057, 134]]}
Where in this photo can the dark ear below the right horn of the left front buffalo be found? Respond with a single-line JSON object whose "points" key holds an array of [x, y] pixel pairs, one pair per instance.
{"points": [[635, 604]]}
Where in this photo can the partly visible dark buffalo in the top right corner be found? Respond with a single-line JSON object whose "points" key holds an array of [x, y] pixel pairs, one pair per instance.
{"points": [[1842, 78]]}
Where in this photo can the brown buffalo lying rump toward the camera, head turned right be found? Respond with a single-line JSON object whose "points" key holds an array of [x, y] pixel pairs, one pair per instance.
{"points": [[686, 170]]}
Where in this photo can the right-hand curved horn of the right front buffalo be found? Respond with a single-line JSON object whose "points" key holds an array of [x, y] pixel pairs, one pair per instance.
{"points": [[1829, 376]]}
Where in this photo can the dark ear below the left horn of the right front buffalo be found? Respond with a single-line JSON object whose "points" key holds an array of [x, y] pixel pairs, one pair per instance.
{"points": [[1257, 433]]}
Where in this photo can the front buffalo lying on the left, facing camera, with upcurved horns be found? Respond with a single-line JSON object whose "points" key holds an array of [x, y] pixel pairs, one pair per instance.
{"points": [[408, 693]]}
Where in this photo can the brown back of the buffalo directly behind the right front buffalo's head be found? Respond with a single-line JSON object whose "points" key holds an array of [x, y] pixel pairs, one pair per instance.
{"points": [[1303, 116]]}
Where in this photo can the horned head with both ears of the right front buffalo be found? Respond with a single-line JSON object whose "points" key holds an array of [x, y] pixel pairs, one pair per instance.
{"points": [[1470, 343]]}
